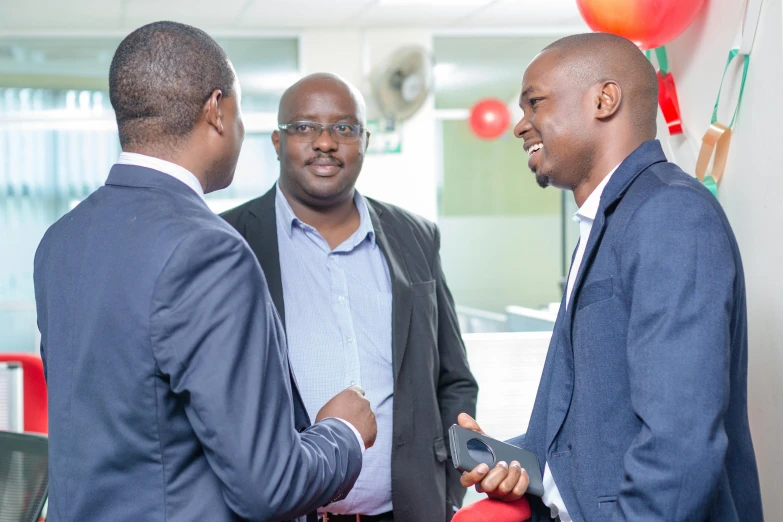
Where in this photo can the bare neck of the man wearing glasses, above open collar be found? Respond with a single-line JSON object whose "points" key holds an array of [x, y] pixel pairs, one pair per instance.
{"points": [[335, 223]]}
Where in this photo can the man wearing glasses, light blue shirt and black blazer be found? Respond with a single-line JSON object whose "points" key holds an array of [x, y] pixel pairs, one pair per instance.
{"points": [[359, 287]]}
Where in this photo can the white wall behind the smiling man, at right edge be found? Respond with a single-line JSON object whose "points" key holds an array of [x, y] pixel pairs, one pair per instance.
{"points": [[751, 194]]}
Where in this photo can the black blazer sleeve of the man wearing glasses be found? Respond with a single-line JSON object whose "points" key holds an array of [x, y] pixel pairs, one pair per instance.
{"points": [[457, 389]]}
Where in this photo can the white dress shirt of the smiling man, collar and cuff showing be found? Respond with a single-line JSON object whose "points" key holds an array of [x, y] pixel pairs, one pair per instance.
{"points": [[585, 217]]}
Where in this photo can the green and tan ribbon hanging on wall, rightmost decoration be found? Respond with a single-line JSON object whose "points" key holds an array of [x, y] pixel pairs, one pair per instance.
{"points": [[717, 140]]}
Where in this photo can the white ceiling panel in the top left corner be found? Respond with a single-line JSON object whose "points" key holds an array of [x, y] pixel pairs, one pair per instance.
{"points": [[48, 15]]}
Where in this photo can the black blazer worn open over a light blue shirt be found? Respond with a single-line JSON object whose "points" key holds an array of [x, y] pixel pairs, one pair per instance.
{"points": [[432, 381]]}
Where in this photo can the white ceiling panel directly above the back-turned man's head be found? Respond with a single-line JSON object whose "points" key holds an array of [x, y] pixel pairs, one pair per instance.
{"points": [[207, 15]]}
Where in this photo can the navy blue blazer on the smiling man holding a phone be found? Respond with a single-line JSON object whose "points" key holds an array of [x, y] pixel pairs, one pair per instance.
{"points": [[642, 407]]}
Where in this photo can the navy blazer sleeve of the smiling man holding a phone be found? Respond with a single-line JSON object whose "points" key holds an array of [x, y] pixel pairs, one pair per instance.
{"points": [[678, 275]]}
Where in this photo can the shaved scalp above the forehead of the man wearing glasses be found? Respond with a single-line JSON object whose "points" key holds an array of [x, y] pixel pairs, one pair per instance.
{"points": [[315, 84]]}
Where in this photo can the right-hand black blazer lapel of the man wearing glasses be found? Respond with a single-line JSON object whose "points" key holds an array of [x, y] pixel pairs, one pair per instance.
{"points": [[402, 295]]}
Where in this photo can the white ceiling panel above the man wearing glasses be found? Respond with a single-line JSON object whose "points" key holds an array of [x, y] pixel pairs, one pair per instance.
{"points": [[288, 14]]}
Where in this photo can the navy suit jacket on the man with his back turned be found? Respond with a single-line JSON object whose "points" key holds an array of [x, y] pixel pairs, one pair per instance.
{"points": [[166, 365]]}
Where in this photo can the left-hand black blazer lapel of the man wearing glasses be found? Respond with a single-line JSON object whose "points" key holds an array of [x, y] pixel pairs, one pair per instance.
{"points": [[262, 238]]}
